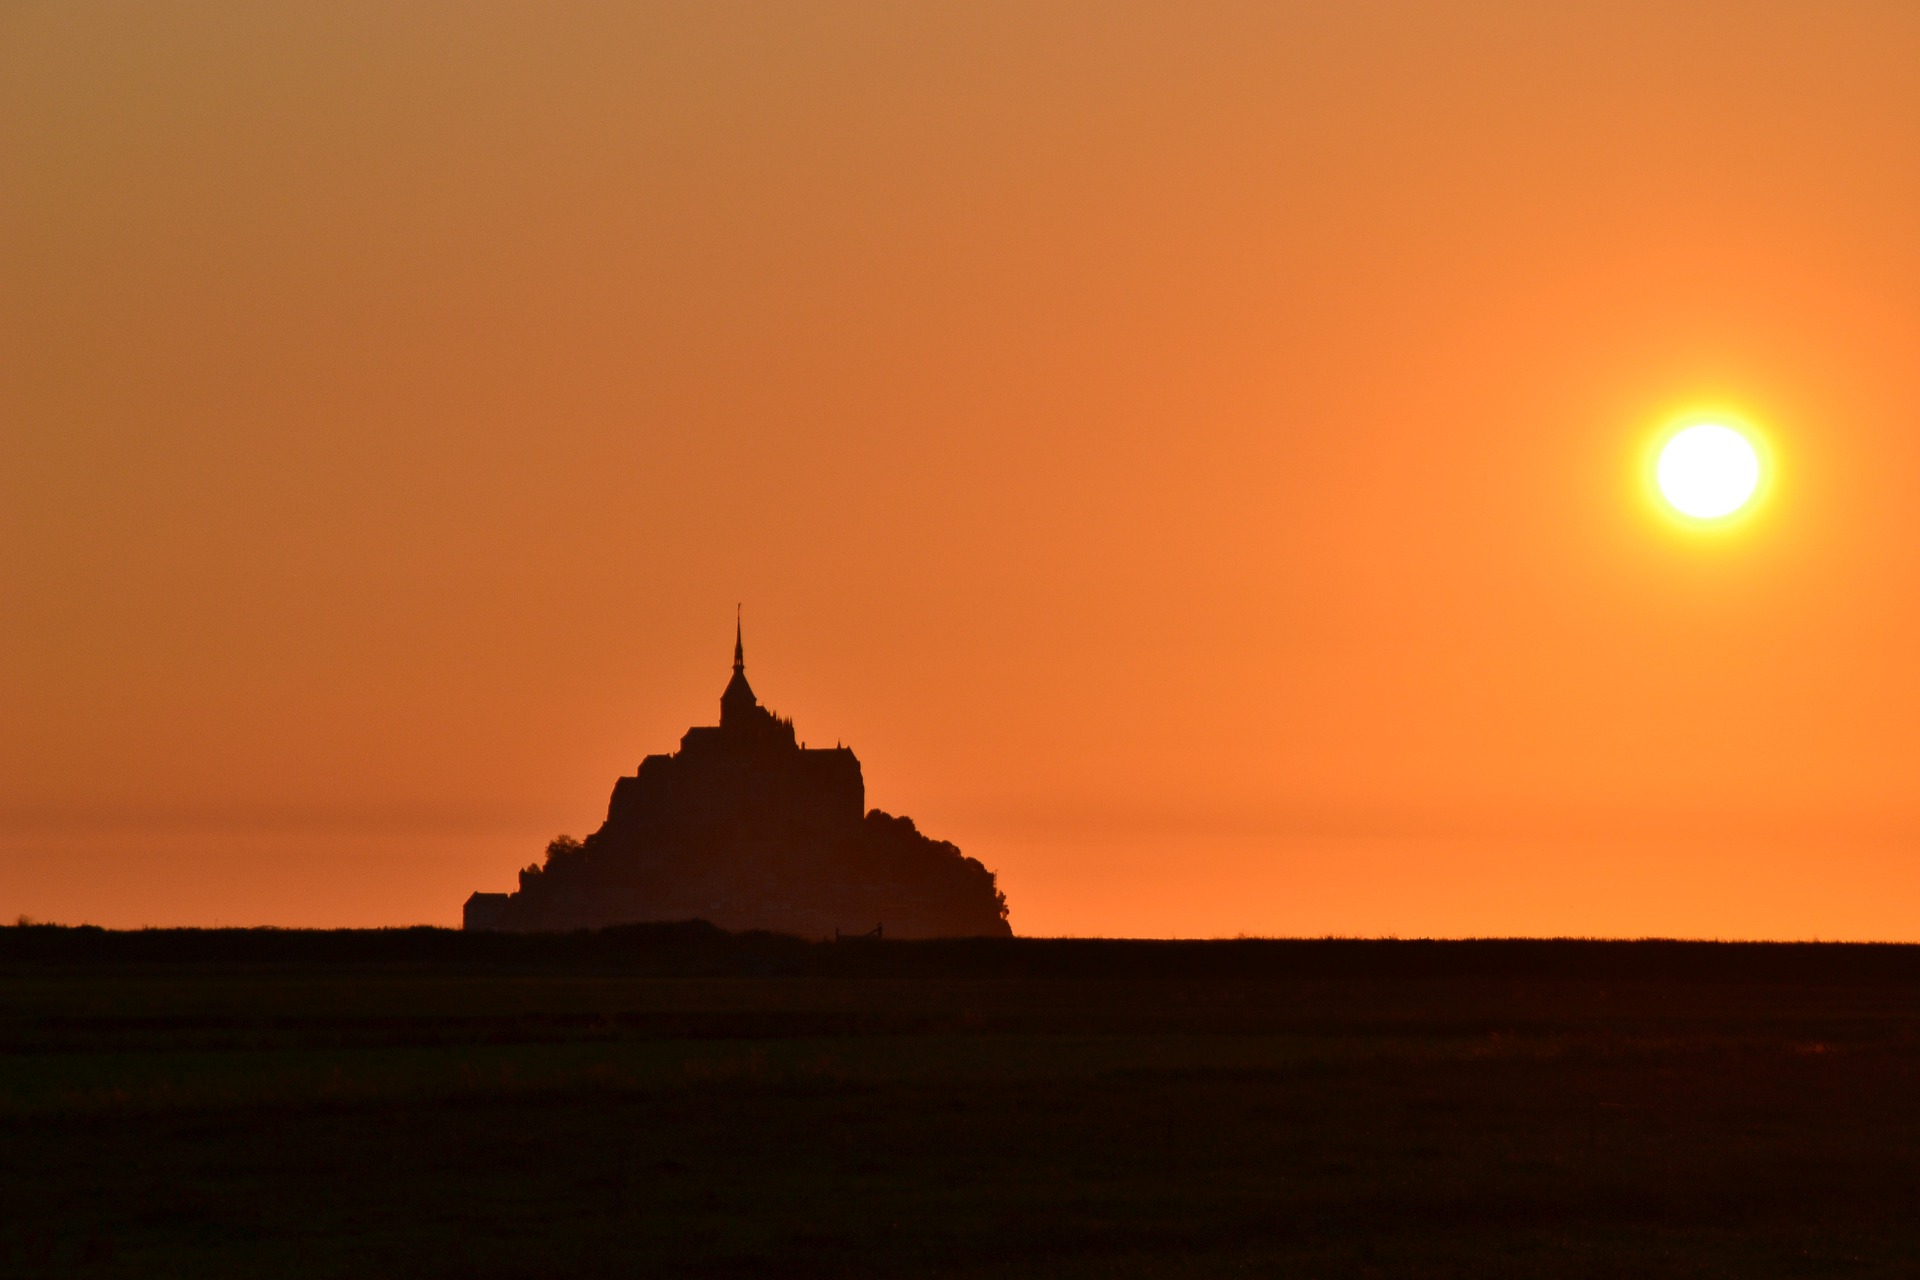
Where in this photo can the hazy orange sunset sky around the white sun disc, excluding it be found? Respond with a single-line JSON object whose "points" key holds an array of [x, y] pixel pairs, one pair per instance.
{"points": [[1186, 450]]}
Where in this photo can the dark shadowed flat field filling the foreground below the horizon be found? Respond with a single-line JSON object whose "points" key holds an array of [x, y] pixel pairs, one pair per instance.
{"points": [[681, 1102]]}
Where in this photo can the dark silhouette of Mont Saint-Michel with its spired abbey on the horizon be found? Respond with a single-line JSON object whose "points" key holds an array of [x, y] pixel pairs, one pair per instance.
{"points": [[748, 830]]}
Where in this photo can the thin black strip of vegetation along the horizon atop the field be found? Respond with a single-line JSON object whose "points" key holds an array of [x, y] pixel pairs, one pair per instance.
{"points": [[696, 949]]}
